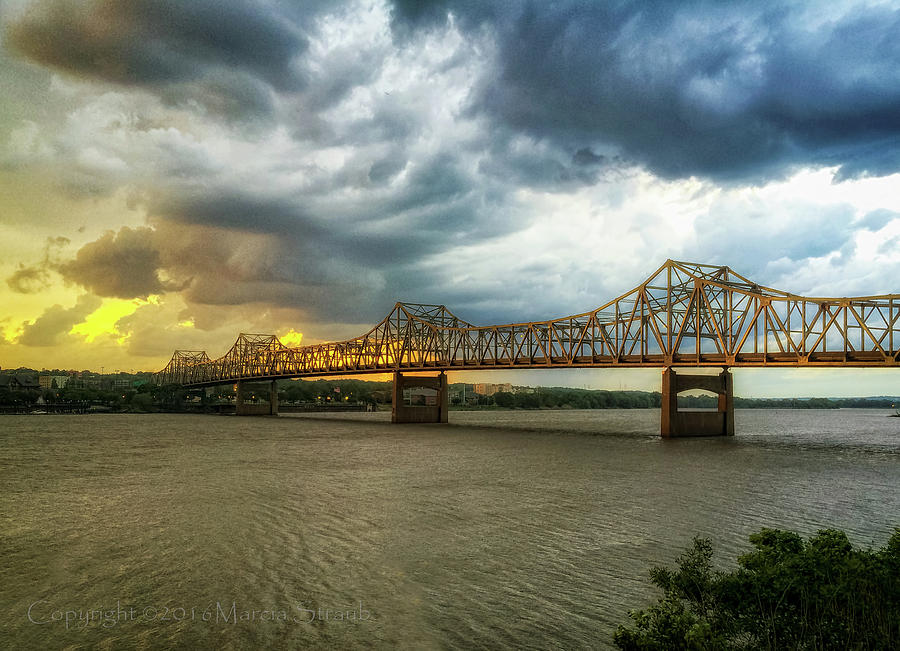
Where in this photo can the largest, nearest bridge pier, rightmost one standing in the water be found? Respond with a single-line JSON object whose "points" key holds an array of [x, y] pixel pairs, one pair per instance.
{"points": [[675, 423]]}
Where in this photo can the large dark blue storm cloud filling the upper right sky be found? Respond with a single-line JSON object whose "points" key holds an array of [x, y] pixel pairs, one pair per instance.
{"points": [[728, 91]]}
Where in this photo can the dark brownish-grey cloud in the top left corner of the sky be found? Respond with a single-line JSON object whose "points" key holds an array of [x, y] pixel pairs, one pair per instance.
{"points": [[223, 54]]}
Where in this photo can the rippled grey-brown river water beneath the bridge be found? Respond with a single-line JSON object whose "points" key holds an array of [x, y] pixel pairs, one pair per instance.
{"points": [[519, 529]]}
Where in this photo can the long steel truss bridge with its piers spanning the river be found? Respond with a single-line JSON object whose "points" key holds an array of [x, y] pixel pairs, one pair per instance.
{"points": [[684, 315]]}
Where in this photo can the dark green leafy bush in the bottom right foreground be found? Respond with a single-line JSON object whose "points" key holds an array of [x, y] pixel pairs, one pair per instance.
{"points": [[787, 593]]}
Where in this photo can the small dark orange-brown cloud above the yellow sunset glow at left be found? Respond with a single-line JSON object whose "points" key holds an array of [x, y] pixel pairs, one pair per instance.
{"points": [[122, 265]]}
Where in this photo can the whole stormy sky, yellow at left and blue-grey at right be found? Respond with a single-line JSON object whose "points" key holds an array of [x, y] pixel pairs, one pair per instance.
{"points": [[173, 173]]}
